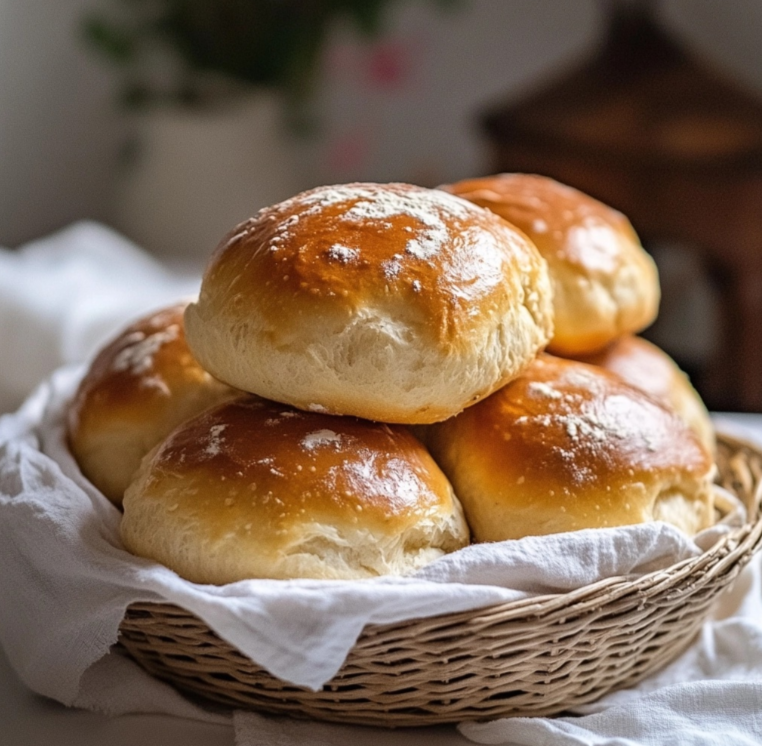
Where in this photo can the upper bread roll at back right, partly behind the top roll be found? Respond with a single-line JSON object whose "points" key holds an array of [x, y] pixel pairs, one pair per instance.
{"points": [[604, 283]]}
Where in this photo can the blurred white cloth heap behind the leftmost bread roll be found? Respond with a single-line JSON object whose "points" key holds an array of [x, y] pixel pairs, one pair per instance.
{"points": [[61, 297]]}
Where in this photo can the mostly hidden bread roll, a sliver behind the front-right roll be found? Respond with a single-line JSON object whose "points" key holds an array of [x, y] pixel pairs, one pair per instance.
{"points": [[650, 369]]}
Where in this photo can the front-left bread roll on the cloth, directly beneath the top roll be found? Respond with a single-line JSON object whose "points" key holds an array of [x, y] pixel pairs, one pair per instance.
{"points": [[253, 489]]}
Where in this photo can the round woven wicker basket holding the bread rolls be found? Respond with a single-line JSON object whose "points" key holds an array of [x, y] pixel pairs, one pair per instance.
{"points": [[538, 656]]}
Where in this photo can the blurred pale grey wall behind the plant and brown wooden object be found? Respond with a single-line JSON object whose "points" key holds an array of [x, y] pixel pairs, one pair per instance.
{"points": [[59, 136]]}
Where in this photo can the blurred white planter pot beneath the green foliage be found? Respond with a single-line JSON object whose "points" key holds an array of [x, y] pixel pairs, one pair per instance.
{"points": [[197, 174]]}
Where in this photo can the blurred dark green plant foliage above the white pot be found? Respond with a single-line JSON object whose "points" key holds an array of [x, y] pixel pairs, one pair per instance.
{"points": [[258, 43]]}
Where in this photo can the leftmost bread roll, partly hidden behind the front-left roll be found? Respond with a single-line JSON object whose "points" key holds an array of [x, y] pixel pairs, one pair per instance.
{"points": [[138, 388]]}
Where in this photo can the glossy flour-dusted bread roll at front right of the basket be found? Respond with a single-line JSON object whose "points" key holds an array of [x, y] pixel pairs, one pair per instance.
{"points": [[568, 446]]}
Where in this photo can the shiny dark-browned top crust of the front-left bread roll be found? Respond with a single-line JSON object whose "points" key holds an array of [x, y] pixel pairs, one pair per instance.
{"points": [[291, 463]]}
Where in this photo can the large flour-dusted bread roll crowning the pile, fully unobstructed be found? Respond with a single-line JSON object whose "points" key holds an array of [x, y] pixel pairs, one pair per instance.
{"points": [[386, 301]]}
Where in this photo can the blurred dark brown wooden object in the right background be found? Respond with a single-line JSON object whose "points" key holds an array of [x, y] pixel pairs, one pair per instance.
{"points": [[647, 128]]}
